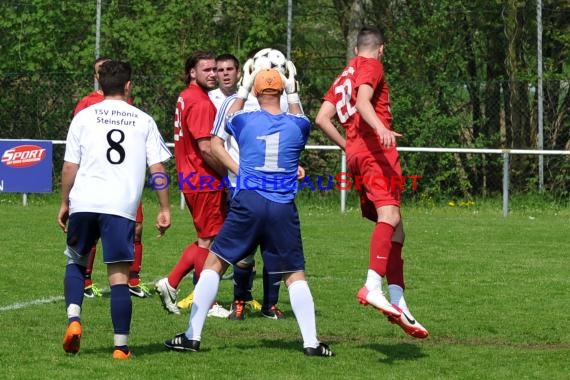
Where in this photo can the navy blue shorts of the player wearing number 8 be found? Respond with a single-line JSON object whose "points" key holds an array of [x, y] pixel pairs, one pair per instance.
{"points": [[116, 233]]}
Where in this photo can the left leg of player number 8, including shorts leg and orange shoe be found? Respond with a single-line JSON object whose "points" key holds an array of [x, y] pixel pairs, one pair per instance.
{"points": [[82, 233]]}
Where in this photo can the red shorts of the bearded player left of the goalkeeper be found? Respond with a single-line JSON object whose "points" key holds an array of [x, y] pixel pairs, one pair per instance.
{"points": [[208, 211]]}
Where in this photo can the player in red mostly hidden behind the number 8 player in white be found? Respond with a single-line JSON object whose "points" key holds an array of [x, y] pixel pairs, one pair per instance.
{"points": [[135, 286]]}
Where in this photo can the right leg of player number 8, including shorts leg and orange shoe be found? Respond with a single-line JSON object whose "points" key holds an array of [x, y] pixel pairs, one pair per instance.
{"points": [[117, 238]]}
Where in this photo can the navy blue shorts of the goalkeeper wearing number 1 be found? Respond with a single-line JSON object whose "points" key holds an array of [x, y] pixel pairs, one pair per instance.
{"points": [[254, 220]]}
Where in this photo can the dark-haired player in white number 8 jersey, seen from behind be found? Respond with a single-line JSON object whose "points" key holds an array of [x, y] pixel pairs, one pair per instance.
{"points": [[108, 147]]}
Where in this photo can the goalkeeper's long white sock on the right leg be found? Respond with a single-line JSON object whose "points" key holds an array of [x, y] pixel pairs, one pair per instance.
{"points": [[304, 310]]}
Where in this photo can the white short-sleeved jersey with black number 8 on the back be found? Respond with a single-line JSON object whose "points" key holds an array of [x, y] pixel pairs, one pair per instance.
{"points": [[112, 142]]}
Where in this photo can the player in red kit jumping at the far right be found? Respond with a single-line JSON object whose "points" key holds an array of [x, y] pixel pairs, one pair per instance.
{"points": [[360, 98]]}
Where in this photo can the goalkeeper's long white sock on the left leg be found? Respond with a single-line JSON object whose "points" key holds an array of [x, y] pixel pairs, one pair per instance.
{"points": [[204, 296]]}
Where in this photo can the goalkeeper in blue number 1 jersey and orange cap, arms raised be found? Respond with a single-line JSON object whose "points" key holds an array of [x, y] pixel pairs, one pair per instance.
{"points": [[262, 211]]}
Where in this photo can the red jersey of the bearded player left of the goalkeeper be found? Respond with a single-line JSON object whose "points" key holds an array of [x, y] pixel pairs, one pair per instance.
{"points": [[195, 115]]}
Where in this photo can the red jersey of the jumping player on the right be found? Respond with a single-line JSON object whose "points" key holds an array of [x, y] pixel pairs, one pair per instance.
{"points": [[359, 135]]}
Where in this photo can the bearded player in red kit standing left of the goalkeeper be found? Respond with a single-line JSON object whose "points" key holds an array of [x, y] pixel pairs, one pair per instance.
{"points": [[199, 173]]}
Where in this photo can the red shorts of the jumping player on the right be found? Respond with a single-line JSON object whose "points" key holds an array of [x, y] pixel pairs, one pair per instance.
{"points": [[380, 182]]}
